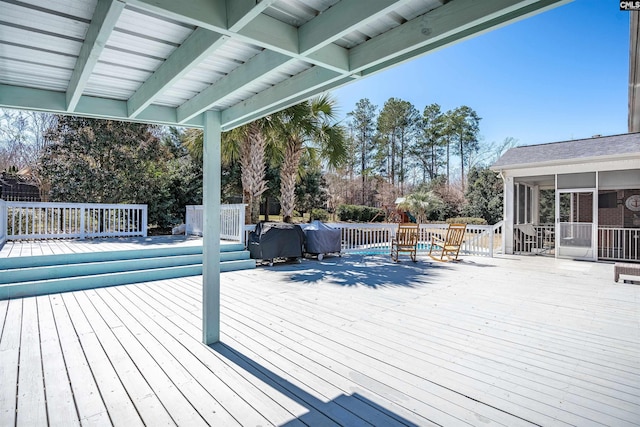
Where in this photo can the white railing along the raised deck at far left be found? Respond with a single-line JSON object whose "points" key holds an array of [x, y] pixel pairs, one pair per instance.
{"points": [[39, 220]]}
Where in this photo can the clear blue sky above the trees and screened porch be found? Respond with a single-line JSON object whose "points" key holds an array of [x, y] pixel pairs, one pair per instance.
{"points": [[560, 75]]}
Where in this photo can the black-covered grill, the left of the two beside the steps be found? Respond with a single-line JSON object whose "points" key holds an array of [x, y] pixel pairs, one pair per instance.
{"points": [[276, 240]]}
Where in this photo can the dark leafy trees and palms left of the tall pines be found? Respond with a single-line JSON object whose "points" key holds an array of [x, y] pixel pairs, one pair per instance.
{"points": [[102, 161]]}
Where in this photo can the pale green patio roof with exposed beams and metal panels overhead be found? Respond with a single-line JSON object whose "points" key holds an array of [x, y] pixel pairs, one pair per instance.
{"points": [[166, 61]]}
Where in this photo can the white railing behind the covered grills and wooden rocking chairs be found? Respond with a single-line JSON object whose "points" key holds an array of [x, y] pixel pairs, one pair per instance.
{"points": [[374, 238]]}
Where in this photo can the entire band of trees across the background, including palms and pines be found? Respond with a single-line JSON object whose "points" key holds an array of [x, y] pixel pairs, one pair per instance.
{"points": [[302, 157]]}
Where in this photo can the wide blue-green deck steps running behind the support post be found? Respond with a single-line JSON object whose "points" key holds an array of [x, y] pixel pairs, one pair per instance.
{"points": [[46, 274]]}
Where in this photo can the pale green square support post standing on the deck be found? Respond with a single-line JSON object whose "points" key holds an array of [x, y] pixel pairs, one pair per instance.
{"points": [[211, 228]]}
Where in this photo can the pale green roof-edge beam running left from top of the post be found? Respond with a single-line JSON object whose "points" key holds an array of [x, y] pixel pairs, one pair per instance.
{"points": [[24, 98]]}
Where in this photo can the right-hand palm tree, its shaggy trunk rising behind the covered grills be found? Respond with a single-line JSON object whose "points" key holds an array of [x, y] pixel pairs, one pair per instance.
{"points": [[307, 128]]}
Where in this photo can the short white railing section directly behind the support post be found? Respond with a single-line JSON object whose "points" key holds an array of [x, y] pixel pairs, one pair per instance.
{"points": [[231, 221]]}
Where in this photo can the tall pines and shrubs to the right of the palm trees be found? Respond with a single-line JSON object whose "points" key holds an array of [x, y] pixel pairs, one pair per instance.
{"points": [[434, 156]]}
